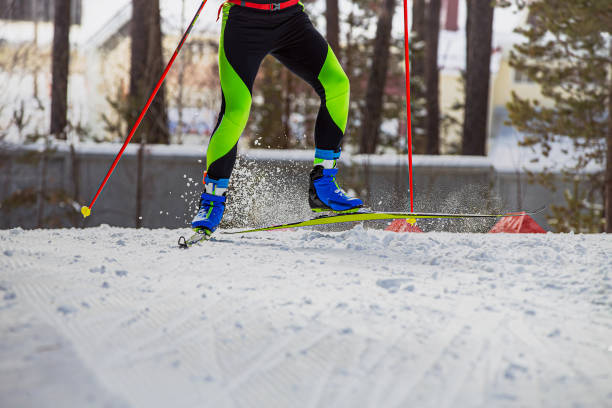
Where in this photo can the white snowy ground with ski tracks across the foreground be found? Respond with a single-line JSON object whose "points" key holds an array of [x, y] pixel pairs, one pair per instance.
{"points": [[111, 317]]}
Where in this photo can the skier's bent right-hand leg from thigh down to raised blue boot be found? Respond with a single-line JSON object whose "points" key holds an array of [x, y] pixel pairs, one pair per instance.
{"points": [[306, 53]]}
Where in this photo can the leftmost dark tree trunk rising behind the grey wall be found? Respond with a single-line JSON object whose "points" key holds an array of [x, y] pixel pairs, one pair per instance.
{"points": [[60, 63]]}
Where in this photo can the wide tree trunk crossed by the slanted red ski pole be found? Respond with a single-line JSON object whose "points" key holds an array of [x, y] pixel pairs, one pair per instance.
{"points": [[146, 69]]}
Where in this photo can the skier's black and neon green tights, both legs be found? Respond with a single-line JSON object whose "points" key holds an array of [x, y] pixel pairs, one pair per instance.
{"points": [[247, 36]]}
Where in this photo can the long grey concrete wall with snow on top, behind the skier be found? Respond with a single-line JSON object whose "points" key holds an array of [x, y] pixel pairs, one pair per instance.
{"points": [[267, 187]]}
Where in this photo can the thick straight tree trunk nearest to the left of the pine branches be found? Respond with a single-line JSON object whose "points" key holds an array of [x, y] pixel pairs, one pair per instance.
{"points": [[479, 37]]}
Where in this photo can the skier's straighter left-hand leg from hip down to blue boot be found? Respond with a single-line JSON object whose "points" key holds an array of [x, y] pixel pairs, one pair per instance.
{"points": [[239, 60]]}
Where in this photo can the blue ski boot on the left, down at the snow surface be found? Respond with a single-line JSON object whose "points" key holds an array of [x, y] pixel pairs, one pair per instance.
{"points": [[212, 206]]}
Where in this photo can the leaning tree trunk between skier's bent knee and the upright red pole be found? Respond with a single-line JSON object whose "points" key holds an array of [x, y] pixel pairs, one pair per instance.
{"points": [[378, 77]]}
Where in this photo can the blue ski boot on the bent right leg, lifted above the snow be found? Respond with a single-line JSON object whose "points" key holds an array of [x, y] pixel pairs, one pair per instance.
{"points": [[324, 193]]}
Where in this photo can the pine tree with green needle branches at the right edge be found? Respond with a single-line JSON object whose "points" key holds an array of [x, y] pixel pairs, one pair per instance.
{"points": [[568, 54]]}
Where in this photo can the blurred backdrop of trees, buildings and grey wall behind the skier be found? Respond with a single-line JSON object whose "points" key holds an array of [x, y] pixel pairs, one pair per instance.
{"points": [[510, 105]]}
